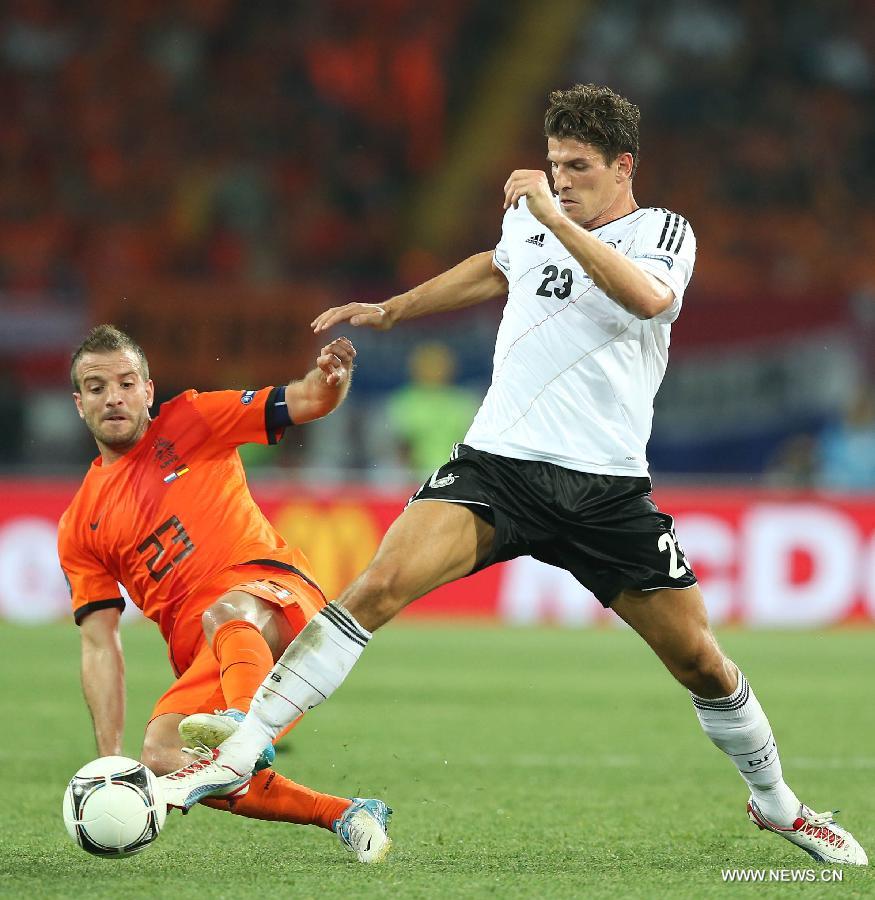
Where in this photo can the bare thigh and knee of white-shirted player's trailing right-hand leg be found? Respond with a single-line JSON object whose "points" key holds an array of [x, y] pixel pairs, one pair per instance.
{"points": [[674, 622]]}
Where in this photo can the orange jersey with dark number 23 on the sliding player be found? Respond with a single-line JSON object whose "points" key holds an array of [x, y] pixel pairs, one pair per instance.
{"points": [[173, 512]]}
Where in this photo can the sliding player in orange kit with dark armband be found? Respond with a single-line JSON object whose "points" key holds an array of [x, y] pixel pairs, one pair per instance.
{"points": [[165, 511]]}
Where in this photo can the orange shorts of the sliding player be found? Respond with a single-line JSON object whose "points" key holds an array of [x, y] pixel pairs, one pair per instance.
{"points": [[198, 687]]}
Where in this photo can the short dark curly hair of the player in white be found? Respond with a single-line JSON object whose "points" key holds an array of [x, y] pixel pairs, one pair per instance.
{"points": [[593, 114]]}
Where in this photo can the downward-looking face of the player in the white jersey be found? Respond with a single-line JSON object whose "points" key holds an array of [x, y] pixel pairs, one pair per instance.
{"points": [[590, 190]]}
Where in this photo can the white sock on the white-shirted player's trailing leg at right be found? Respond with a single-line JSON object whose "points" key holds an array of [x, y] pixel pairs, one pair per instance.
{"points": [[739, 727]]}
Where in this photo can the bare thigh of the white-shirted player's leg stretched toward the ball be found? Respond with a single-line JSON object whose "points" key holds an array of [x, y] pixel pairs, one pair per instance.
{"points": [[431, 543]]}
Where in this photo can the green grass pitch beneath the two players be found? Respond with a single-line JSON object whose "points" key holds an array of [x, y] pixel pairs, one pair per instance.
{"points": [[520, 763]]}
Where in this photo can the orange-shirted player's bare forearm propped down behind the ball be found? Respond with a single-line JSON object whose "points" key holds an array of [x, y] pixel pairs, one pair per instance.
{"points": [[103, 678]]}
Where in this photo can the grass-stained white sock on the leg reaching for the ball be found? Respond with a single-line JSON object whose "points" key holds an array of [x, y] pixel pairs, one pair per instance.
{"points": [[313, 666]]}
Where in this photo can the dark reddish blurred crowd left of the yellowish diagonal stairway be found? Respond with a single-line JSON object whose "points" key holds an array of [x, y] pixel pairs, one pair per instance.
{"points": [[241, 141]]}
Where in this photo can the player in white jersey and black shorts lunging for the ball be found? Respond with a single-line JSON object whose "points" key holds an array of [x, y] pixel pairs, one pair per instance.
{"points": [[554, 464]]}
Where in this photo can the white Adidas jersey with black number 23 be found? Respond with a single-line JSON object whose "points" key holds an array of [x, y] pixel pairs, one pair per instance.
{"points": [[575, 374]]}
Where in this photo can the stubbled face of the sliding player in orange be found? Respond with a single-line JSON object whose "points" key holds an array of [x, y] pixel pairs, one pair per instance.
{"points": [[114, 399]]}
